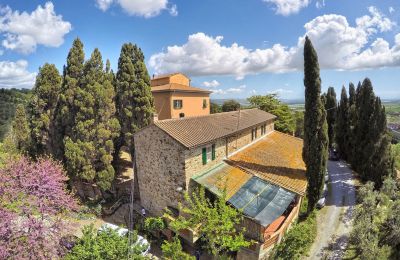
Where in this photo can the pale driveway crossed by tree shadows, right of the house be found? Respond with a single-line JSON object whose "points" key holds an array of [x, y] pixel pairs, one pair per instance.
{"points": [[334, 220]]}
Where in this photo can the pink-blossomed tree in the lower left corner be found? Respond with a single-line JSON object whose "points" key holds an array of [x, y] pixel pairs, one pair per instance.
{"points": [[33, 200]]}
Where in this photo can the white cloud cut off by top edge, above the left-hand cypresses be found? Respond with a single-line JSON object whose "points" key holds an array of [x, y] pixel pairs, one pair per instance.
{"points": [[144, 8]]}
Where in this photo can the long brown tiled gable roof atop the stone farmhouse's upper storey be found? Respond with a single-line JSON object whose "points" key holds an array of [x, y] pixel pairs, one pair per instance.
{"points": [[194, 131]]}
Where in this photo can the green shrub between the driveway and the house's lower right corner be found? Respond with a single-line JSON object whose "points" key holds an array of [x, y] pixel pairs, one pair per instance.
{"points": [[298, 240]]}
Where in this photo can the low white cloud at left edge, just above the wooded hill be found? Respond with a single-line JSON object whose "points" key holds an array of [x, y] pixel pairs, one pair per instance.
{"points": [[16, 75]]}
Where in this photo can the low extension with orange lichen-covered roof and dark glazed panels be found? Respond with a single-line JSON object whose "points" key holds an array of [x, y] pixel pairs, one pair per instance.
{"points": [[266, 181]]}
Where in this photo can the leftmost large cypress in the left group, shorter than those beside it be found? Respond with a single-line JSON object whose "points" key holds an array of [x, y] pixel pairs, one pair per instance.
{"points": [[41, 109]]}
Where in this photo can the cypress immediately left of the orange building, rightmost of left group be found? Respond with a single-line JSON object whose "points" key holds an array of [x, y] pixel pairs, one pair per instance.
{"points": [[133, 96]]}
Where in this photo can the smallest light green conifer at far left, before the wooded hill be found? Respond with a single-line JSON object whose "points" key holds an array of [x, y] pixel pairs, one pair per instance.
{"points": [[20, 130]]}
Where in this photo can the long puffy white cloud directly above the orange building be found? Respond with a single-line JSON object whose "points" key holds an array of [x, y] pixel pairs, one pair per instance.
{"points": [[205, 55]]}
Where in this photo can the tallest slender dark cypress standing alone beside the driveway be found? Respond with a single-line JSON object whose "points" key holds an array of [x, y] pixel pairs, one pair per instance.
{"points": [[315, 149]]}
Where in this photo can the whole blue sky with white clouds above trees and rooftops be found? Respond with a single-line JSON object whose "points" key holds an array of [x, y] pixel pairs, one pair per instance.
{"points": [[235, 48]]}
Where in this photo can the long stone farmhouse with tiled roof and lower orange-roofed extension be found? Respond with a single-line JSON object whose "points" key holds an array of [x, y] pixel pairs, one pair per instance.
{"points": [[262, 170]]}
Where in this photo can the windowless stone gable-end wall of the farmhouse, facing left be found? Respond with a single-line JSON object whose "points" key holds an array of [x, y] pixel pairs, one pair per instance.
{"points": [[161, 169]]}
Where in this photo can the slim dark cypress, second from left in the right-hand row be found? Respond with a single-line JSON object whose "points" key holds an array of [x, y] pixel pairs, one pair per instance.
{"points": [[342, 125]]}
